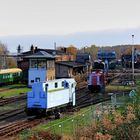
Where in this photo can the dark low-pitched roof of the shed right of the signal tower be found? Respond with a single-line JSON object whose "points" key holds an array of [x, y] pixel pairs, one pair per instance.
{"points": [[70, 64]]}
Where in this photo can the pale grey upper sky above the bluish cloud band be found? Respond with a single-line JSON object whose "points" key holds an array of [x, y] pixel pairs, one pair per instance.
{"points": [[24, 17]]}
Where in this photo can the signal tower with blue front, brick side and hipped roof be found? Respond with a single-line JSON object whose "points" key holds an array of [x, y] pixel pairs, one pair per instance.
{"points": [[41, 67]]}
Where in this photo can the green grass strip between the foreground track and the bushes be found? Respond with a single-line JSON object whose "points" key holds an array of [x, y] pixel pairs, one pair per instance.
{"points": [[65, 125]]}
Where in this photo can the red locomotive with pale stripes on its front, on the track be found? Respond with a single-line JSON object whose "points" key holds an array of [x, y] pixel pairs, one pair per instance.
{"points": [[96, 81]]}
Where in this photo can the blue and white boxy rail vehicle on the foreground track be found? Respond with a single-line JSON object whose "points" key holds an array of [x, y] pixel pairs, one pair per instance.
{"points": [[50, 96]]}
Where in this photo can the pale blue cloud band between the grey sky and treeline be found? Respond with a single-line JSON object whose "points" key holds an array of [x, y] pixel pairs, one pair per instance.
{"points": [[80, 39]]}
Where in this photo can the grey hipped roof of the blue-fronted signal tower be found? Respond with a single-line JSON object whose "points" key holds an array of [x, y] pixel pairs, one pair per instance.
{"points": [[41, 54]]}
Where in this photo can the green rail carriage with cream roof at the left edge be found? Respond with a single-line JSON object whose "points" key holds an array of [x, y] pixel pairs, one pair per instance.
{"points": [[12, 75]]}
